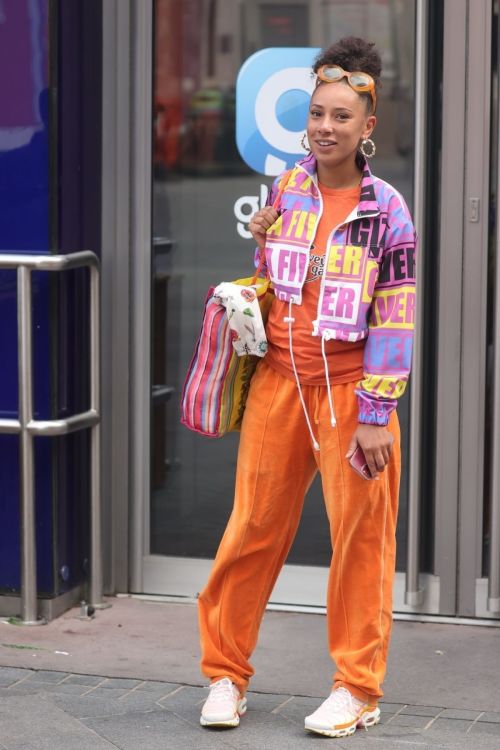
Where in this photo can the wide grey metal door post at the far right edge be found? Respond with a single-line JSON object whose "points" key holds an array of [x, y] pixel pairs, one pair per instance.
{"points": [[461, 326]]}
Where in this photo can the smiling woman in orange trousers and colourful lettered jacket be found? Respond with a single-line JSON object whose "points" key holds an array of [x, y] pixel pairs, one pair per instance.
{"points": [[340, 250]]}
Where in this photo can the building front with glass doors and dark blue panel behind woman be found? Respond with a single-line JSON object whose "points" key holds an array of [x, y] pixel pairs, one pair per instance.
{"points": [[122, 132]]}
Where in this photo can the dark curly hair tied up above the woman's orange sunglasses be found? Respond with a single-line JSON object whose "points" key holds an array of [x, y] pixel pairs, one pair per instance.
{"points": [[352, 53]]}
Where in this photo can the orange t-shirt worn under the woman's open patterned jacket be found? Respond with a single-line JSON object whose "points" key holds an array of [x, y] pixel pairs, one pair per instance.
{"points": [[345, 359]]}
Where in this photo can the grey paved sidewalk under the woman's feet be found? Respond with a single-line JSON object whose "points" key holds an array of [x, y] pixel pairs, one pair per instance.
{"points": [[129, 679]]}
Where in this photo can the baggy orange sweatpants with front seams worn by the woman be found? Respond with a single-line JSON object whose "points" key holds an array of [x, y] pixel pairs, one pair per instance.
{"points": [[276, 465]]}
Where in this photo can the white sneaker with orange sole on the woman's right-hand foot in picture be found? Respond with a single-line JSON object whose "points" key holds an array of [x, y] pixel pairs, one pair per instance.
{"points": [[340, 714]]}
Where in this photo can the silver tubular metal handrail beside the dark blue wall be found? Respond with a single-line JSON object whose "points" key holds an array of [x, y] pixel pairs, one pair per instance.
{"points": [[27, 427]]}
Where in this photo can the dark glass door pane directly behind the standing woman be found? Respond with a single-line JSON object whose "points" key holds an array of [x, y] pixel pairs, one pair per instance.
{"points": [[203, 194]]}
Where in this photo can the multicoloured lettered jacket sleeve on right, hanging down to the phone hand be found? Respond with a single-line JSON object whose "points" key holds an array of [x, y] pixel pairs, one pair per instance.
{"points": [[388, 350]]}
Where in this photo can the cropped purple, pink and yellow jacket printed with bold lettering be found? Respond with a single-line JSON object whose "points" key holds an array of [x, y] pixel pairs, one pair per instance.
{"points": [[368, 283]]}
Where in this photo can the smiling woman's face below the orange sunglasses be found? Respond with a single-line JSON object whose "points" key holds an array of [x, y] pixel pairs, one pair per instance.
{"points": [[338, 120]]}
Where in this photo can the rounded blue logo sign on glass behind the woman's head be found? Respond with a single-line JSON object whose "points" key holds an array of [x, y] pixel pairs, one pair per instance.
{"points": [[273, 89]]}
